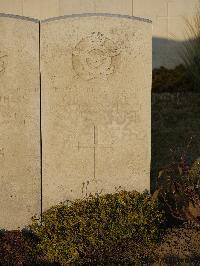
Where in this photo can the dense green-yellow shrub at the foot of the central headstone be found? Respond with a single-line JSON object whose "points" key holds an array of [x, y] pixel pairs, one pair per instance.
{"points": [[120, 227]]}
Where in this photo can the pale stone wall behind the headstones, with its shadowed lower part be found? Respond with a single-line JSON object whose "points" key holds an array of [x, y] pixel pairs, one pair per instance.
{"points": [[168, 18]]}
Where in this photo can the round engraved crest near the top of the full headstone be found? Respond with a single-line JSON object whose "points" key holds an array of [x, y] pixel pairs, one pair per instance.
{"points": [[93, 57]]}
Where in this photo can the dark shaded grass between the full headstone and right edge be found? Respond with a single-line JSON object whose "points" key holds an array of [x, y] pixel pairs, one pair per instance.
{"points": [[175, 119]]}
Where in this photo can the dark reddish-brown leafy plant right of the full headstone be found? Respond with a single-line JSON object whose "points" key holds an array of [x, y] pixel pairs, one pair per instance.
{"points": [[178, 187]]}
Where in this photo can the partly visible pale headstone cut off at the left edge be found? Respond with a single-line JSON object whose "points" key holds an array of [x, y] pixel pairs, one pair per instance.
{"points": [[19, 121]]}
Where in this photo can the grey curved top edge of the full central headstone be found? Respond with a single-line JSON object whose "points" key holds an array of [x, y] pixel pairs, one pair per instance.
{"points": [[97, 15]]}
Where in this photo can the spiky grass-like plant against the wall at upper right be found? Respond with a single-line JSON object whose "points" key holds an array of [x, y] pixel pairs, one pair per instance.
{"points": [[190, 53]]}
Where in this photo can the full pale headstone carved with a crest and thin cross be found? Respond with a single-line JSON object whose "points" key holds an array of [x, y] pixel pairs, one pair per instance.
{"points": [[96, 111]]}
